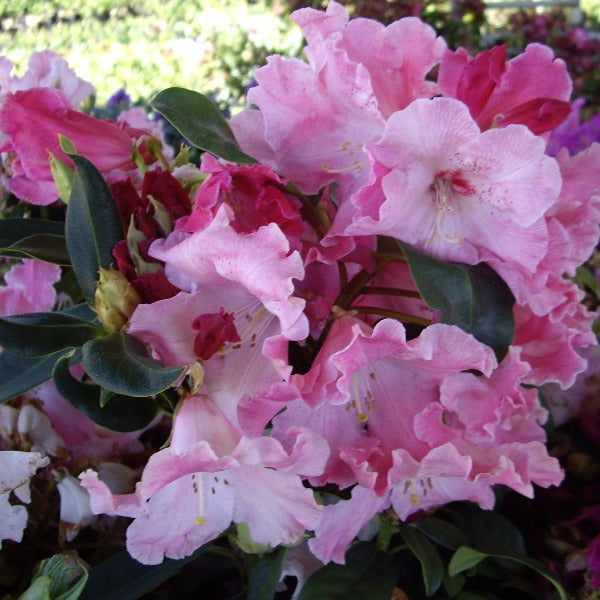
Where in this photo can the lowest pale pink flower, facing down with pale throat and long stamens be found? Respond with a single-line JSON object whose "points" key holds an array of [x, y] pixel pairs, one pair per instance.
{"points": [[211, 476]]}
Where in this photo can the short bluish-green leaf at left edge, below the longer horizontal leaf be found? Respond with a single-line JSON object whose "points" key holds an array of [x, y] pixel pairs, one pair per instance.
{"points": [[18, 374]]}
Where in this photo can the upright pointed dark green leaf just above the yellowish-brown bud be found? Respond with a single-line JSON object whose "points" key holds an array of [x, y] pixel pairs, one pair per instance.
{"points": [[92, 225]]}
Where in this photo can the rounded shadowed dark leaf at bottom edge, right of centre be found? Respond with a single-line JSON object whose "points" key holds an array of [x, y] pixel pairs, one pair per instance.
{"points": [[368, 573]]}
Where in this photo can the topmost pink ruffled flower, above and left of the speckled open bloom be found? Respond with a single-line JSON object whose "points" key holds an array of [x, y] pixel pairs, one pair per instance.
{"points": [[315, 118]]}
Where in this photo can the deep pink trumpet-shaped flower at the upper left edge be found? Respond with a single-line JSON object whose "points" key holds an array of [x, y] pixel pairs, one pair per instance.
{"points": [[32, 120]]}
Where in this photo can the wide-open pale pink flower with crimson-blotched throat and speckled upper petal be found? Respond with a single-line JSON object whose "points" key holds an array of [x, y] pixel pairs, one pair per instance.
{"points": [[455, 192]]}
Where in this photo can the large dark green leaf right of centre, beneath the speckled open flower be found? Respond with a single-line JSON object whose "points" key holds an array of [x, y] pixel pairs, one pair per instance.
{"points": [[473, 297]]}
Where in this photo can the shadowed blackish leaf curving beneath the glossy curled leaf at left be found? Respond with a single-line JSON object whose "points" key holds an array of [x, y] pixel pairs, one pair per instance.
{"points": [[119, 413]]}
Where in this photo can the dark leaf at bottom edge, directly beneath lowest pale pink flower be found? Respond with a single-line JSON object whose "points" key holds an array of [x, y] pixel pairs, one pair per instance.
{"points": [[123, 578]]}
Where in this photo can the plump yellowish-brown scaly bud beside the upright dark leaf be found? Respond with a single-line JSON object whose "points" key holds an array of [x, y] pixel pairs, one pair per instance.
{"points": [[115, 299]]}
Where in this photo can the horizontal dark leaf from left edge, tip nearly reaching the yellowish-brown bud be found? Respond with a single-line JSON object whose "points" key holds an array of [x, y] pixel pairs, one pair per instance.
{"points": [[40, 334]]}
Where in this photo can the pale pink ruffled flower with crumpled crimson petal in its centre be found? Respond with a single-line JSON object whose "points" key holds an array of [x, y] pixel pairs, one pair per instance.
{"points": [[240, 281]]}
